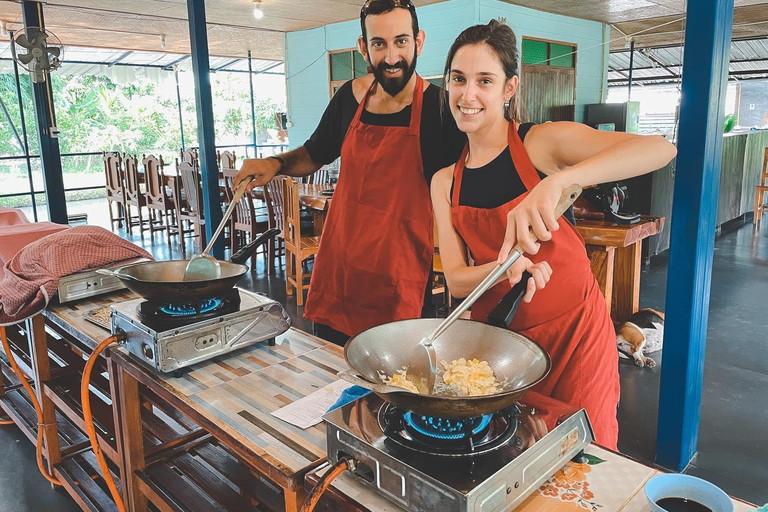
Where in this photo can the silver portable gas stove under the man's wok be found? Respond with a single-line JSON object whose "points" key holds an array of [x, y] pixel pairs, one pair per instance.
{"points": [[172, 336]]}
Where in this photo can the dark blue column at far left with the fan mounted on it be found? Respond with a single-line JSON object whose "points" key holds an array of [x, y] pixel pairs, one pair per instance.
{"points": [[47, 132]]}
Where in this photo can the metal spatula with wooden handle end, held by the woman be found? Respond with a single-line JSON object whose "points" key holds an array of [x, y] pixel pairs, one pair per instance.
{"points": [[422, 369]]}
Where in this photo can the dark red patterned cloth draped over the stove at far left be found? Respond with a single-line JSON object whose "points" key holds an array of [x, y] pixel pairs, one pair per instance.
{"points": [[32, 275]]}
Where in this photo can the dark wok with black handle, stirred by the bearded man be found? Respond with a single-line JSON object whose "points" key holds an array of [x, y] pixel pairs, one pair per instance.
{"points": [[163, 281]]}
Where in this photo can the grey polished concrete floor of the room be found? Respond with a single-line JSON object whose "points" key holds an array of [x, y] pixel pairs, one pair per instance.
{"points": [[733, 438]]}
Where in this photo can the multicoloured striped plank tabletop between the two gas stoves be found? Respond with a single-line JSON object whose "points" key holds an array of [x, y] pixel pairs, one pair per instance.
{"points": [[232, 397]]}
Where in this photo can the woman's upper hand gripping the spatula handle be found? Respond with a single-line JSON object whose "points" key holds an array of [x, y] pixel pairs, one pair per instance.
{"points": [[535, 212]]}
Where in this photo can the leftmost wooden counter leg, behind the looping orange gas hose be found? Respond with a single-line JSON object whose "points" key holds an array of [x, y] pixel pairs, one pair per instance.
{"points": [[38, 345]]}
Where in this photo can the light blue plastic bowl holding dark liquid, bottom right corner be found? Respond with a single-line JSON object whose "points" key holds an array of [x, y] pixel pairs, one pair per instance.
{"points": [[689, 487]]}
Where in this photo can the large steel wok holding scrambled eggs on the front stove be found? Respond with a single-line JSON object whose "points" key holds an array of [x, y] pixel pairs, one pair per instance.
{"points": [[517, 361]]}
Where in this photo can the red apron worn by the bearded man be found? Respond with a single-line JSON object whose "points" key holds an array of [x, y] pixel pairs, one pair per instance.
{"points": [[376, 250]]}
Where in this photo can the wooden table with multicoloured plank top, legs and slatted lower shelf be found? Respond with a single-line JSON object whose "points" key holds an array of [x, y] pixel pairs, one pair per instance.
{"points": [[231, 398]]}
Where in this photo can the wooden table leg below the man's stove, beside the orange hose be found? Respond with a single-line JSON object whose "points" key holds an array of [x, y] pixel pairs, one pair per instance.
{"points": [[131, 439]]}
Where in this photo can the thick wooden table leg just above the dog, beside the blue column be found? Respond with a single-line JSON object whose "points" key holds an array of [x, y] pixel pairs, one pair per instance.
{"points": [[626, 281]]}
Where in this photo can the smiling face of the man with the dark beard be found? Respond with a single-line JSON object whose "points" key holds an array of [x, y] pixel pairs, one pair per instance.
{"points": [[392, 48]]}
